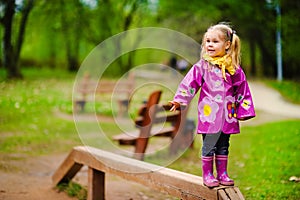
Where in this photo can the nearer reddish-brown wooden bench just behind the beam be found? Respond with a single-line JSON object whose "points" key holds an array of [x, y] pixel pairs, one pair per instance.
{"points": [[156, 120]]}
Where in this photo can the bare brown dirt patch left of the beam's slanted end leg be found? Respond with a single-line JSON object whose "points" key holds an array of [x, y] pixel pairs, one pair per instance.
{"points": [[29, 178]]}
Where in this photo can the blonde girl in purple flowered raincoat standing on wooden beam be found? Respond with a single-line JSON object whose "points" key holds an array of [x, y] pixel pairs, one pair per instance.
{"points": [[224, 99]]}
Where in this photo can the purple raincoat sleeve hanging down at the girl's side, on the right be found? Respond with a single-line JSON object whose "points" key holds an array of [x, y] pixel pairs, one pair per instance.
{"points": [[244, 103]]}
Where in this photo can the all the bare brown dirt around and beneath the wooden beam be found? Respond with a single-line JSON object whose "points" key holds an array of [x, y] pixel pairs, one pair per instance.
{"points": [[27, 178]]}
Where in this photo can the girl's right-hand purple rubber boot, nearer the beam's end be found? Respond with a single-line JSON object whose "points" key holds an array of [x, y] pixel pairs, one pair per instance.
{"points": [[221, 165]]}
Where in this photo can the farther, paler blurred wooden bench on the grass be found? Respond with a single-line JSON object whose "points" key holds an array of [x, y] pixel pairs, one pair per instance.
{"points": [[88, 88]]}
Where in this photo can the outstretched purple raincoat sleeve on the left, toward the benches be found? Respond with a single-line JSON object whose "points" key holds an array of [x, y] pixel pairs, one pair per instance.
{"points": [[190, 85]]}
